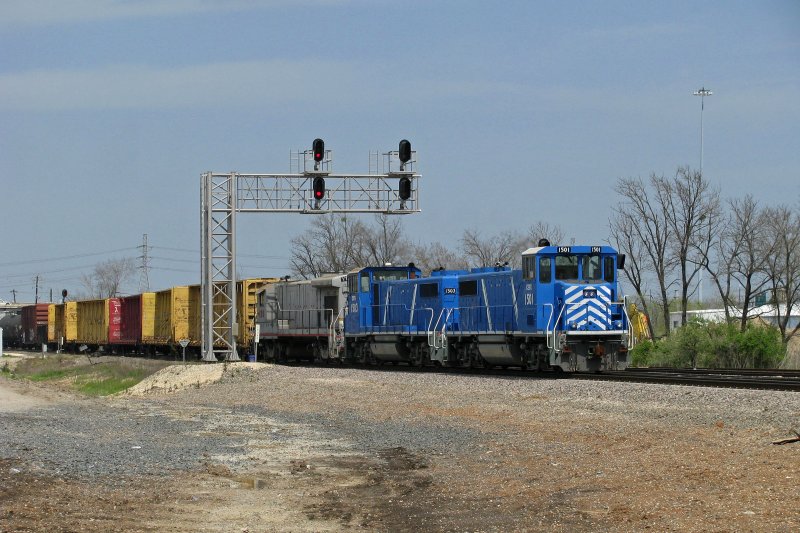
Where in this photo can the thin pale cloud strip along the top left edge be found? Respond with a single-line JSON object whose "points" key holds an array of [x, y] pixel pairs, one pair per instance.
{"points": [[14, 13]]}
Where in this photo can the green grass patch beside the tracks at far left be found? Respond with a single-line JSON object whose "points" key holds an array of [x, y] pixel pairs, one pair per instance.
{"points": [[93, 378]]}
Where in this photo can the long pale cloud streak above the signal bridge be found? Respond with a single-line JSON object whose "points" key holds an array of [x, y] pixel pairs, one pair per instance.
{"points": [[255, 84]]}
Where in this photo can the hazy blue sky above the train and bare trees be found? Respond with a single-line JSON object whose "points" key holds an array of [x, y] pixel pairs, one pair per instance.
{"points": [[520, 111]]}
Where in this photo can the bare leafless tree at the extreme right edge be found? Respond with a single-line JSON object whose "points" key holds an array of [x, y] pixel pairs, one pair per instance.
{"points": [[783, 265]]}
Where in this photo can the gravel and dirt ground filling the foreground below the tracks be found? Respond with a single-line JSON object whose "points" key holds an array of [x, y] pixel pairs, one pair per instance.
{"points": [[274, 448]]}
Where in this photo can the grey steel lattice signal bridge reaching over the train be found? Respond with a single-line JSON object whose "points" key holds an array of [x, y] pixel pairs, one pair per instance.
{"points": [[222, 195]]}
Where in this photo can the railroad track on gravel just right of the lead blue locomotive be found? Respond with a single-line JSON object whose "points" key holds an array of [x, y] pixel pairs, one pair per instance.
{"points": [[786, 380]]}
